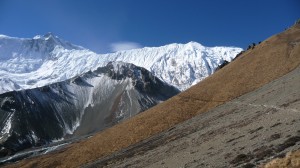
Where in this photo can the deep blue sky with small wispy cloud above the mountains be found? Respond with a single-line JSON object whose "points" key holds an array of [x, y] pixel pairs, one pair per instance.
{"points": [[109, 25]]}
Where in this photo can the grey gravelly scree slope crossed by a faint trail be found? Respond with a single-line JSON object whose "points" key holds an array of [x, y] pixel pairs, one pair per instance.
{"points": [[243, 132]]}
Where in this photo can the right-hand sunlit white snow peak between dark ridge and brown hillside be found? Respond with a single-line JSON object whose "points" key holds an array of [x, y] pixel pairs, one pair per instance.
{"points": [[181, 65]]}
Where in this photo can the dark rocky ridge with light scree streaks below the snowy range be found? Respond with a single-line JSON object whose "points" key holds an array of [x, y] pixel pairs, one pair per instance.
{"points": [[79, 106]]}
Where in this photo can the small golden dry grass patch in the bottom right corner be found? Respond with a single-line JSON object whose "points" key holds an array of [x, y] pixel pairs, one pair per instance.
{"points": [[291, 160]]}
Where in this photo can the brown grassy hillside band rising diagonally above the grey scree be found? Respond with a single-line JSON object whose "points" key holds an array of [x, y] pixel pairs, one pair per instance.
{"points": [[271, 59]]}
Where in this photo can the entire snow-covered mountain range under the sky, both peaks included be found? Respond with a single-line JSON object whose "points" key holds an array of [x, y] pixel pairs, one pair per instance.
{"points": [[47, 59]]}
